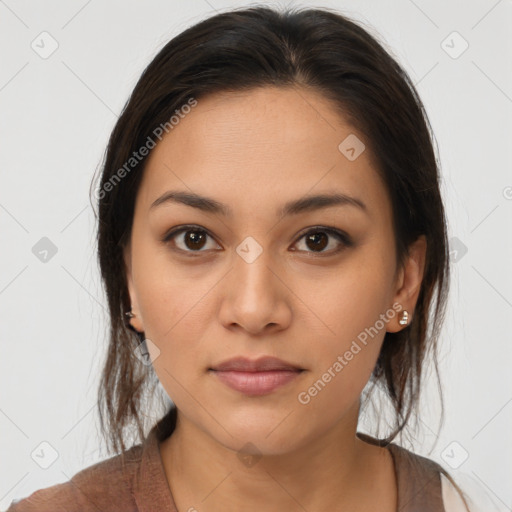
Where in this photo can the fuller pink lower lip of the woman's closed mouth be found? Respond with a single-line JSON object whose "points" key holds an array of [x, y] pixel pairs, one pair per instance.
{"points": [[256, 383]]}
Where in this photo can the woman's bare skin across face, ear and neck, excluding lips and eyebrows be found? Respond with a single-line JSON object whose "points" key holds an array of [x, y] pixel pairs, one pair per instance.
{"points": [[254, 151]]}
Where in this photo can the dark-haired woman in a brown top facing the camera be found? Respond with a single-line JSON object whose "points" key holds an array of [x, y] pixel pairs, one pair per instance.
{"points": [[272, 240]]}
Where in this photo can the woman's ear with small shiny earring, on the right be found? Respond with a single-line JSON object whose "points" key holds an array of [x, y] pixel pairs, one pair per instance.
{"points": [[408, 284]]}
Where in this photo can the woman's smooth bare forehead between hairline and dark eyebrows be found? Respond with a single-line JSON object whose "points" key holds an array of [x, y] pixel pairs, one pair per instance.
{"points": [[264, 145]]}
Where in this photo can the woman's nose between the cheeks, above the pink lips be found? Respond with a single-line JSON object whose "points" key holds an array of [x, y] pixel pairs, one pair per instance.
{"points": [[256, 298]]}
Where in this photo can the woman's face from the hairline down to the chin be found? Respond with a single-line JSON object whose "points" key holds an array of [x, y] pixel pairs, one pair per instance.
{"points": [[241, 279]]}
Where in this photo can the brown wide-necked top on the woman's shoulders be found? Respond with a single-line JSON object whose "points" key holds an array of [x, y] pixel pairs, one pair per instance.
{"points": [[142, 485]]}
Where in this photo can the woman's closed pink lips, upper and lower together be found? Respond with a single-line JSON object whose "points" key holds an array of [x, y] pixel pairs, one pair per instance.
{"points": [[256, 377]]}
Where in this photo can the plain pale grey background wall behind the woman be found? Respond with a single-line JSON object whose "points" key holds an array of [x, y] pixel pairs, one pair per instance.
{"points": [[57, 112]]}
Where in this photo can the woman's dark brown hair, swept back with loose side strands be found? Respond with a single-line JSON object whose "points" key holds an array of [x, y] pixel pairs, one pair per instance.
{"points": [[323, 51]]}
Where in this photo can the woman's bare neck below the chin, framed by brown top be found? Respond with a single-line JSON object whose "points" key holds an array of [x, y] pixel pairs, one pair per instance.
{"points": [[333, 471]]}
